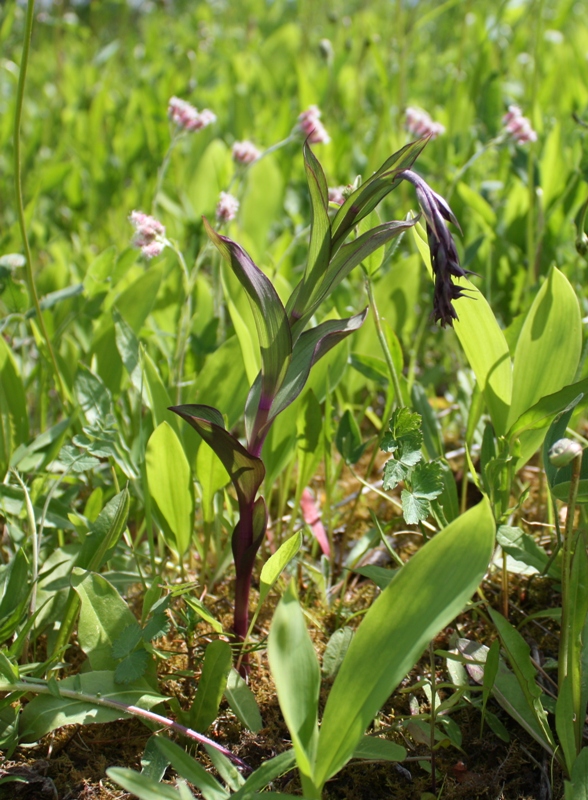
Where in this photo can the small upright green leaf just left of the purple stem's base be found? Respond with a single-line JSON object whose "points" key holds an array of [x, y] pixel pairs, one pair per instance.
{"points": [[211, 687]]}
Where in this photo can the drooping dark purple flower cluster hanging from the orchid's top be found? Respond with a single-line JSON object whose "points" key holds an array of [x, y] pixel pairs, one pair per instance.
{"points": [[444, 258]]}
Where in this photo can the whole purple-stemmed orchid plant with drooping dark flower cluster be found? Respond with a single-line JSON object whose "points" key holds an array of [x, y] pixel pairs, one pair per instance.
{"points": [[289, 349]]}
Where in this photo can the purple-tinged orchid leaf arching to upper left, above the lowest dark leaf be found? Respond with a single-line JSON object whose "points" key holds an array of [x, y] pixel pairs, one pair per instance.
{"points": [[271, 321]]}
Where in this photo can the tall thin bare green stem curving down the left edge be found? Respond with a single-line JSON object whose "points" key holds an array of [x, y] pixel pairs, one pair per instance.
{"points": [[19, 197]]}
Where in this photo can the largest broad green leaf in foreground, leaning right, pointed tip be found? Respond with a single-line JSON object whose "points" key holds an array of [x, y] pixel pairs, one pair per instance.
{"points": [[424, 596]]}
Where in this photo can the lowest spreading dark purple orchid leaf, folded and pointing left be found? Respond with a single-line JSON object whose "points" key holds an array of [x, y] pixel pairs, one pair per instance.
{"points": [[246, 471]]}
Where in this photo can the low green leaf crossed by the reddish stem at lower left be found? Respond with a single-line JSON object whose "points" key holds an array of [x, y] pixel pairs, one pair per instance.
{"points": [[46, 712]]}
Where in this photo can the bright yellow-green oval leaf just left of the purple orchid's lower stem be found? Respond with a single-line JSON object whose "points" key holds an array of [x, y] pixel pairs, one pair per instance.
{"points": [[170, 486]]}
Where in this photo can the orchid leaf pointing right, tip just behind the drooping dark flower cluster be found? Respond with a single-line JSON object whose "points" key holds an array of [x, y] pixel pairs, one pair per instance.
{"points": [[349, 256]]}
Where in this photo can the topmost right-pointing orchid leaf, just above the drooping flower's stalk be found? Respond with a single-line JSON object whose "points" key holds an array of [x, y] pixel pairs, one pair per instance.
{"points": [[369, 194]]}
